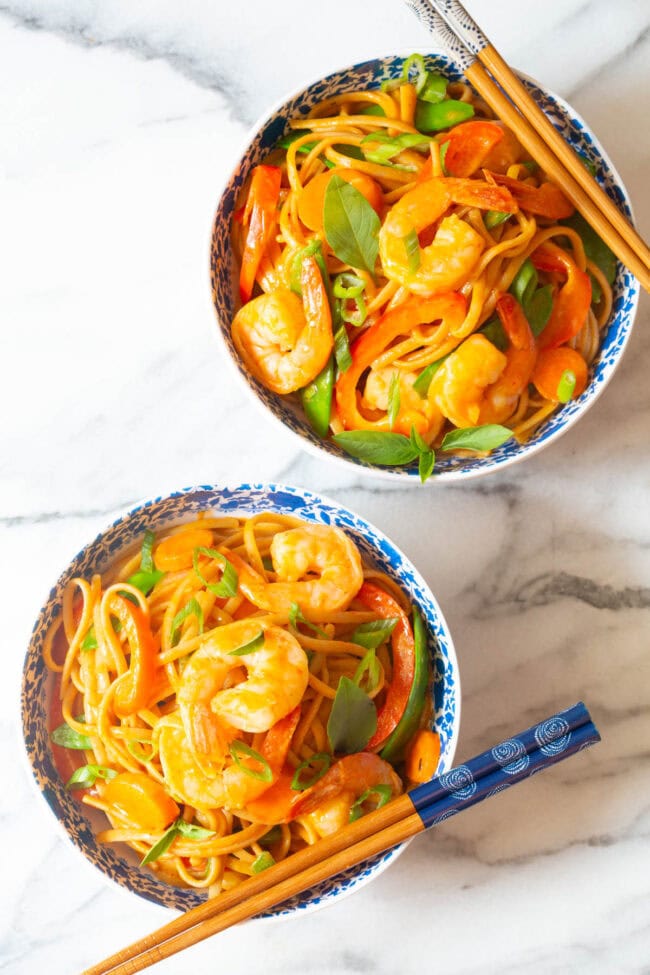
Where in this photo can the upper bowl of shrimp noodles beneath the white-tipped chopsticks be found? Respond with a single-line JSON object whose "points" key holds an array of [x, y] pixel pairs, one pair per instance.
{"points": [[401, 286]]}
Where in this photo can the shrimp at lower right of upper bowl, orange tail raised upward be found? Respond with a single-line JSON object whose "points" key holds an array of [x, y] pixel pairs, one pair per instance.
{"points": [[479, 384]]}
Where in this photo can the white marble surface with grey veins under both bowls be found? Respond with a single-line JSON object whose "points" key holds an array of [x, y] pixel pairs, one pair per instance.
{"points": [[119, 121]]}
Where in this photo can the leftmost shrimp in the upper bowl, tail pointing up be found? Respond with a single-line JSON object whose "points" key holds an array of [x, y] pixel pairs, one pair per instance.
{"points": [[283, 341]]}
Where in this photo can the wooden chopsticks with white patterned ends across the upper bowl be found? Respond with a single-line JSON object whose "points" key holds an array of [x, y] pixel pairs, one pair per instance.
{"points": [[506, 95]]}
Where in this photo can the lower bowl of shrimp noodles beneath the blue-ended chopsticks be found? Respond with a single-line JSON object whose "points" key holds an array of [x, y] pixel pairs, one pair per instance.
{"points": [[224, 676]]}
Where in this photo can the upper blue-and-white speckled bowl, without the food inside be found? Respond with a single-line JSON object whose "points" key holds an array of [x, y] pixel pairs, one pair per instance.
{"points": [[288, 413]]}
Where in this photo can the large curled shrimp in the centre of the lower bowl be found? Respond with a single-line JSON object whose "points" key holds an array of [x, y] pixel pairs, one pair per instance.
{"points": [[277, 675]]}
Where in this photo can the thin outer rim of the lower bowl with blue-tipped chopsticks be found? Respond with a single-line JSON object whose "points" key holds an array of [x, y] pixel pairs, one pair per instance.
{"points": [[28, 757]]}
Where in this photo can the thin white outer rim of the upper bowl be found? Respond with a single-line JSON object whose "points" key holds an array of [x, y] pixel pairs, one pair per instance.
{"points": [[409, 476]]}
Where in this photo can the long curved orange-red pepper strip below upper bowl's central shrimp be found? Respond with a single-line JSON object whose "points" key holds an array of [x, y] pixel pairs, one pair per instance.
{"points": [[450, 308]]}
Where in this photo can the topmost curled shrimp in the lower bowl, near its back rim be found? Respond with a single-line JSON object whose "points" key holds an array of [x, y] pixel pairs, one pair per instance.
{"points": [[297, 554]]}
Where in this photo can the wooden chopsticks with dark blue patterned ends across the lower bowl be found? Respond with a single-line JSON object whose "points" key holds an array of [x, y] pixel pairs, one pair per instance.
{"points": [[512, 760]]}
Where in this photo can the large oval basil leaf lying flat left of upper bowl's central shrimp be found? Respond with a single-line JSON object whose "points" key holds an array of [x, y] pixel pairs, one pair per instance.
{"points": [[351, 225]]}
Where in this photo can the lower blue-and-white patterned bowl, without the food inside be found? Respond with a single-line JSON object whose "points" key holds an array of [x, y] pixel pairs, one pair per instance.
{"points": [[81, 823]]}
